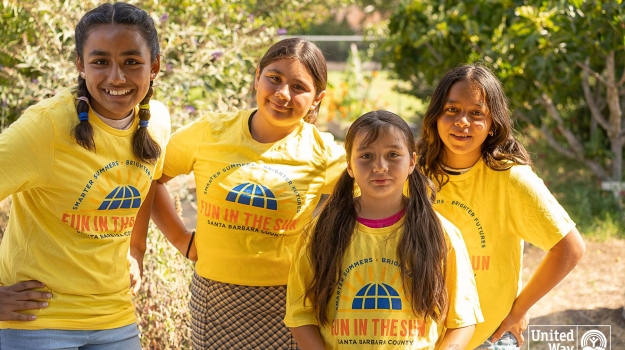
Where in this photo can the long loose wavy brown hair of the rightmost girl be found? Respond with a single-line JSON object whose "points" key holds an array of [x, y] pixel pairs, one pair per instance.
{"points": [[499, 151]]}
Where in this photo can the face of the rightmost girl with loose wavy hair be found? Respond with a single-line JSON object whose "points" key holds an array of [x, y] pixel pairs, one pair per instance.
{"points": [[464, 125]]}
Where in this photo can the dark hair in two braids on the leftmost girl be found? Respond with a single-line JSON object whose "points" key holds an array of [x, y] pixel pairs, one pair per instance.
{"points": [[143, 146]]}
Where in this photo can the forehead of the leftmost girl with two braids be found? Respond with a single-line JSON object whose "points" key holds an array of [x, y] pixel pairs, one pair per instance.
{"points": [[115, 38]]}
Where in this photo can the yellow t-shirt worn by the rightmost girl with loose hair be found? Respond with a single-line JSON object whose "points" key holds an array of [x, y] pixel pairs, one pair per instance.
{"points": [[496, 211]]}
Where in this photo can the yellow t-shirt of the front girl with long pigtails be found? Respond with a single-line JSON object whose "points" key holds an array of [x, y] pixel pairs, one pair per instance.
{"points": [[370, 310]]}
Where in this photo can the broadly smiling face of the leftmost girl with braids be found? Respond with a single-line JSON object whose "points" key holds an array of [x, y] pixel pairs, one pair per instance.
{"points": [[117, 68]]}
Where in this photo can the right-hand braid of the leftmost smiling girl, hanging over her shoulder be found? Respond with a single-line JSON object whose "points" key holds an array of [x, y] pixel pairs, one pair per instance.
{"points": [[143, 146]]}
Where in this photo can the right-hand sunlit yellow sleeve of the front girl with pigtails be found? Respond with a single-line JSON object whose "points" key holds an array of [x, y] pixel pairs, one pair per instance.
{"points": [[464, 305]]}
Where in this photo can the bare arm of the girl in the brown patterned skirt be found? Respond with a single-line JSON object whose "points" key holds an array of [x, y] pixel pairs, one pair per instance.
{"points": [[166, 218]]}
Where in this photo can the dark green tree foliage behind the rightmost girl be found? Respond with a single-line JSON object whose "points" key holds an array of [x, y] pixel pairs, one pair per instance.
{"points": [[539, 50]]}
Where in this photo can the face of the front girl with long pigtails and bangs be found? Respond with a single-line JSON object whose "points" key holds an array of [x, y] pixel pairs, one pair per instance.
{"points": [[381, 168]]}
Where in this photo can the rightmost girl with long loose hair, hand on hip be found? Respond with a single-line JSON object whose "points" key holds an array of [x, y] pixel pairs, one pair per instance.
{"points": [[489, 191]]}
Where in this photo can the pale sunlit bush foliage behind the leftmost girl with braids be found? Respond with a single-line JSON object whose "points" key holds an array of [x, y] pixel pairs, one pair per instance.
{"points": [[209, 50]]}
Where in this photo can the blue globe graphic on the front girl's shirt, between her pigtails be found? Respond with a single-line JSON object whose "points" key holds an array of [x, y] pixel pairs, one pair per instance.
{"points": [[377, 296]]}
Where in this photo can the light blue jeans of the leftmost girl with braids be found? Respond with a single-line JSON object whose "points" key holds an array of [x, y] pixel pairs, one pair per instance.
{"points": [[123, 338]]}
